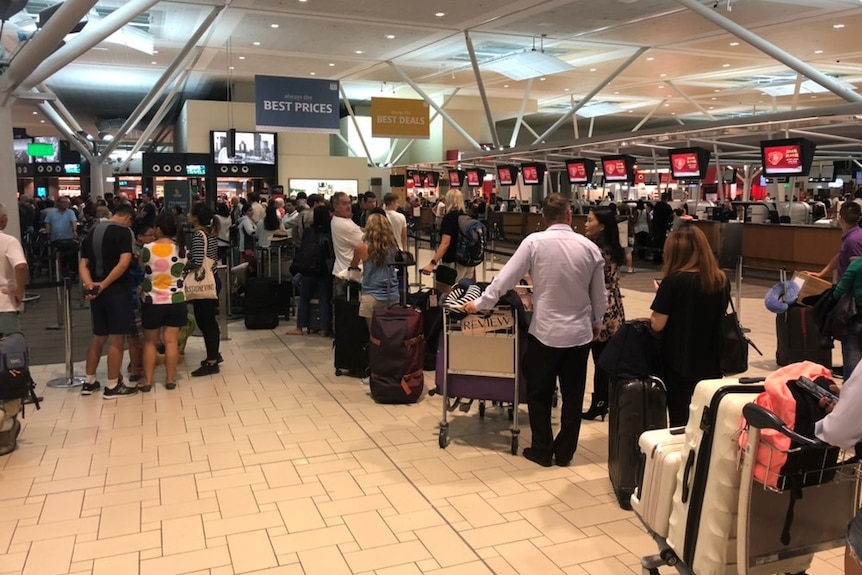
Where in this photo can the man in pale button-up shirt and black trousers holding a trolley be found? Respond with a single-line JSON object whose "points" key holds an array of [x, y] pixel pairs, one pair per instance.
{"points": [[569, 301]]}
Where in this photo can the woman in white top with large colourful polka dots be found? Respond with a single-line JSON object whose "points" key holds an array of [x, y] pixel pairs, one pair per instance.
{"points": [[164, 302]]}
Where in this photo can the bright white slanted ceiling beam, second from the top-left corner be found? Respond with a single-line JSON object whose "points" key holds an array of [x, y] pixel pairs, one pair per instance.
{"points": [[92, 35]]}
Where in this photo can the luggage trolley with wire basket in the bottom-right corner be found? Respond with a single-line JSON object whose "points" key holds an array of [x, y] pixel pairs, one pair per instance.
{"points": [[820, 517]]}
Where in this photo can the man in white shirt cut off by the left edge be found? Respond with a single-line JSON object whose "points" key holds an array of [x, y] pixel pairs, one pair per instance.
{"points": [[14, 272]]}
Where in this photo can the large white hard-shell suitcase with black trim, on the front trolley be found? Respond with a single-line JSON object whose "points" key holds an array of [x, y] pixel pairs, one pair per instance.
{"points": [[703, 519]]}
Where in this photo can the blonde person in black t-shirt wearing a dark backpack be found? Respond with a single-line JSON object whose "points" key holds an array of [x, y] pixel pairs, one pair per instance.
{"points": [[462, 243]]}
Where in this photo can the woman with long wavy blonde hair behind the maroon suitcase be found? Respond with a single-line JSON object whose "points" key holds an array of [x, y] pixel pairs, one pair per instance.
{"points": [[379, 279]]}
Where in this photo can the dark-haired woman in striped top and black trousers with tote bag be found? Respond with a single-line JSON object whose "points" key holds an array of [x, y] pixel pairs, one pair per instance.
{"points": [[205, 233]]}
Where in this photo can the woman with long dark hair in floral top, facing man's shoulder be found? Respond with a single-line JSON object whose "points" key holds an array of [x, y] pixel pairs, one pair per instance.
{"points": [[601, 227]]}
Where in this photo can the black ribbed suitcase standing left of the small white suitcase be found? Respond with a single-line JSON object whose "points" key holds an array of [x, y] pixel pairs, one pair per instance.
{"points": [[635, 406]]}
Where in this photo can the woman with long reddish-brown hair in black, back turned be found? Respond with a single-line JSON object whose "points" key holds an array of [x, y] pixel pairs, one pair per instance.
{"points": [[689, 304]]}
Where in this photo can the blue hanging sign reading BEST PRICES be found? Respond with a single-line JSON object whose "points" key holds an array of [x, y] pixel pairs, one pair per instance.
{"points": [[296, 104]]}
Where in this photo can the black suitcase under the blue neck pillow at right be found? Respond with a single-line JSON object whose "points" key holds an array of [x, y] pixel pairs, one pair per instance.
{"points": [[799, 338]]}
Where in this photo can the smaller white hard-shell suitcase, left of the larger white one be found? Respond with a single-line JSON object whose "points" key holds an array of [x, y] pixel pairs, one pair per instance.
{"points": [[661, 453]]}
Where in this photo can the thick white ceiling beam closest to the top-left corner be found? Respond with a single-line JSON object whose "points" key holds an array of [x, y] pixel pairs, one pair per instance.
{"points": [[42, 44]]}
